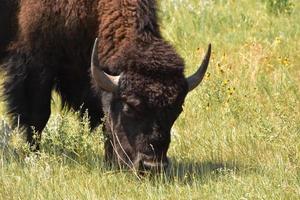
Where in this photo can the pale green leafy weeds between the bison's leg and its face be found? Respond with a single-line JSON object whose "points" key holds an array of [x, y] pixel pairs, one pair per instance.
{"points": [[65, 136]]}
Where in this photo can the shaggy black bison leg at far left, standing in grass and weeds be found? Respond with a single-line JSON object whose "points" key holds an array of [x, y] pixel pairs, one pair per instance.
{"points": [[27, 90]]}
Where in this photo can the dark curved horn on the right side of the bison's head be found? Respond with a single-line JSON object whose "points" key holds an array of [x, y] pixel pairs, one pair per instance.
{"points": [[195, 79]]}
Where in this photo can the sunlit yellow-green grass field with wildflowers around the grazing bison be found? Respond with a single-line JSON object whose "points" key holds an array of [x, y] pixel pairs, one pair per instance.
{"points": [[239, 134]]}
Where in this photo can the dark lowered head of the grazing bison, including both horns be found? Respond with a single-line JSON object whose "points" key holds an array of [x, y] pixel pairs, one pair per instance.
{"points": [[140, 111]]}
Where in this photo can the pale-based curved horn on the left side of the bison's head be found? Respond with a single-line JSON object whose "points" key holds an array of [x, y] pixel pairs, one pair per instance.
{"points": [[103, 80]]}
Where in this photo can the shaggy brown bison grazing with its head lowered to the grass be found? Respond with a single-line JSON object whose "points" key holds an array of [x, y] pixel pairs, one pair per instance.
{"points": [[133, 77]]}
